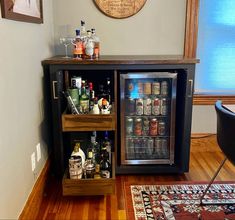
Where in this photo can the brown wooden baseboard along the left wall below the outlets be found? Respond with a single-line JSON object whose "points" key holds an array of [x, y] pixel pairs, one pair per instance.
{"points": [[33, 203]]}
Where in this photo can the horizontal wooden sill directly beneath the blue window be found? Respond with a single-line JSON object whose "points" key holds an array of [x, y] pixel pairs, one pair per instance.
{"points": [[211, 99]]}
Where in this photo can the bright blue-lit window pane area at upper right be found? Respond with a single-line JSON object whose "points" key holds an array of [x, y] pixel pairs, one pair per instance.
{"points": [[215, 74]]}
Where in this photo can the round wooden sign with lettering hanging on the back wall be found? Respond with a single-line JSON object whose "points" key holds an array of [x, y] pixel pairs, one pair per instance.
{"points": [[120, 8]]}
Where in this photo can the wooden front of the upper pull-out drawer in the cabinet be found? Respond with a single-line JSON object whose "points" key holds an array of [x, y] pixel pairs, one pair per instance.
{"points": [[88, 122]]}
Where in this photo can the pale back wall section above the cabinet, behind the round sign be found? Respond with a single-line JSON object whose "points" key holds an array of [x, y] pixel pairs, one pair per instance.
{"points": [[158, 28]]}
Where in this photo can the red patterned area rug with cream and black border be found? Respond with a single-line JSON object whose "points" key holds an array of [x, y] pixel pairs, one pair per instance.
{"points": [[179, 201]]}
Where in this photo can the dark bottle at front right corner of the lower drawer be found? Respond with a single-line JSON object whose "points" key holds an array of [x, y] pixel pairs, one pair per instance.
{"points": [[105, 165]]}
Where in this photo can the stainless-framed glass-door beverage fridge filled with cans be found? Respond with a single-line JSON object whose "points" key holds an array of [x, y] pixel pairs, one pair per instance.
{"points": [[148, 117]]}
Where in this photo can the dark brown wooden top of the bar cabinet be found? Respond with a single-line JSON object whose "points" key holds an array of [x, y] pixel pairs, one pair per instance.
{"points": [[123, 59]]}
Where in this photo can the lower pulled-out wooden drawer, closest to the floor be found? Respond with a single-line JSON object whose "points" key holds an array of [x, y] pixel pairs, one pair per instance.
{"points": [[82, 187]]}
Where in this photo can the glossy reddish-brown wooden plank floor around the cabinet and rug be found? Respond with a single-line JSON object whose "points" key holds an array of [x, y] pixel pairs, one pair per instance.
{"points": [[205, 159]]}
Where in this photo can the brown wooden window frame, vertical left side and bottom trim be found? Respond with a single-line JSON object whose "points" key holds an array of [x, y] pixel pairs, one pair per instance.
{"points": [[190, 48]]}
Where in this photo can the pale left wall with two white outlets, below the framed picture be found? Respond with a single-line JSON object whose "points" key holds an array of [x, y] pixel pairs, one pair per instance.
{"points": [[23, 47]]}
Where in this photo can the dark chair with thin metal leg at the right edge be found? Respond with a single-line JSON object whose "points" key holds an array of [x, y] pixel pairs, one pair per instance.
{"points": [[225, 138]]}
